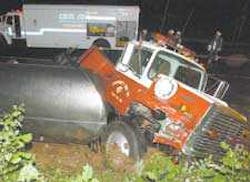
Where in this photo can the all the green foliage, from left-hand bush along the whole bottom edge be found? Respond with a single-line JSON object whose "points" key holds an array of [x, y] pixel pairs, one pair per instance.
{"points": [[17, 165]]}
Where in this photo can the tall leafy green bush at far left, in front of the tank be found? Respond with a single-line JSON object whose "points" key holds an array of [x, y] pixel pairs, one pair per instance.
{"points": [[15, 163]]}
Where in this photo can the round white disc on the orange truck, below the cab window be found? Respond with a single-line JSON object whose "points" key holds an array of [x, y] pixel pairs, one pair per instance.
{"points": [[165, 87]]}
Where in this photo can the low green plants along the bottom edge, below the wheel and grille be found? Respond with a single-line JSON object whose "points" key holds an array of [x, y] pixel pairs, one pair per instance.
{"points": [[158, 167]]}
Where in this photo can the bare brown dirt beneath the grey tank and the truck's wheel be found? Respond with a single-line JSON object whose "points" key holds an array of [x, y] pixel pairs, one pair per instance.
{"points": [[70, 158]]}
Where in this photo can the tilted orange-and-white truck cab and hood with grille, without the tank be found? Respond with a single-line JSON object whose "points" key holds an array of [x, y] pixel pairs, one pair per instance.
{"points": [[165, 90]]}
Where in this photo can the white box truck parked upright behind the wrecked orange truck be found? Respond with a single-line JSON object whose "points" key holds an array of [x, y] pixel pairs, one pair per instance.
{"points": [[64, 26]]}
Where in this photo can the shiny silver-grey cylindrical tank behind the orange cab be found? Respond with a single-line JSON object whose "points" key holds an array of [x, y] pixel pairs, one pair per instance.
{"points": [[62, 103]]}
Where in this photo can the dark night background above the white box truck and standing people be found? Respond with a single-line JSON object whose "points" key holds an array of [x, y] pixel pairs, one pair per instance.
{"points": [[207, 15]]}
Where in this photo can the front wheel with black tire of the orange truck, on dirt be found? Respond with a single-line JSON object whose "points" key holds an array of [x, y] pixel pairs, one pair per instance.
{"points": [[125, 137]]}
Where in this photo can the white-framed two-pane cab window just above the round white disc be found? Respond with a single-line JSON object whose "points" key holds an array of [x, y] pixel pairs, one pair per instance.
{"points": [[175, 66]]}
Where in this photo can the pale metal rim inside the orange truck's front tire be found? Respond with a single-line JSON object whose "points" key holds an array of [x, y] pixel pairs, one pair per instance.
{"points": [[119, 140]]}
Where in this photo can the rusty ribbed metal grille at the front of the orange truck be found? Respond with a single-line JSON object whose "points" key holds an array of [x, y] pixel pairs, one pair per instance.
{"points": [[219, 125]]}
